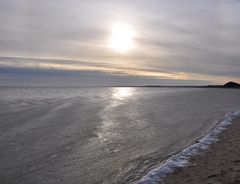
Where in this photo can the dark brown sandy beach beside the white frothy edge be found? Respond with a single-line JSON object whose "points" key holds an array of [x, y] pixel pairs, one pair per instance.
{"points": [[217, 165]]}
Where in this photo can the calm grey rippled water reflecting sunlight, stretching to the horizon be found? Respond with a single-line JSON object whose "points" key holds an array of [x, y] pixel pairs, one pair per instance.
{"points": [[100, 135]]}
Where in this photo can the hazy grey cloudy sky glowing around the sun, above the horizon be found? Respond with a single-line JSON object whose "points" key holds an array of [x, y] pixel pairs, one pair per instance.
{"points": [[67, 42]]}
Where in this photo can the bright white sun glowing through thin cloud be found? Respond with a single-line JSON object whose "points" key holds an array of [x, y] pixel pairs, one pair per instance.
{"points": [[121, 38]]}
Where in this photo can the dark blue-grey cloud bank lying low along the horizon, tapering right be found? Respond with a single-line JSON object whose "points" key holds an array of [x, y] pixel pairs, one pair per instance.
{"points": [[50, 77]]}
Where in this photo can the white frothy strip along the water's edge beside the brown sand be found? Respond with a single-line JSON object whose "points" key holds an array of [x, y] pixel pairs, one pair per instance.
{"points": [[182, 159]]}
